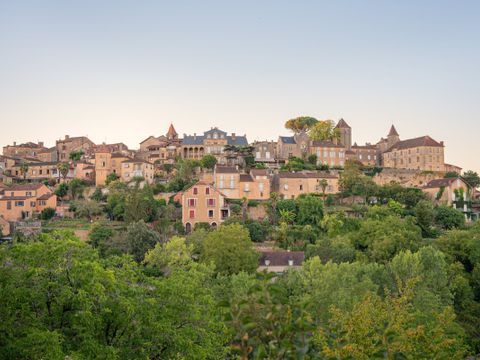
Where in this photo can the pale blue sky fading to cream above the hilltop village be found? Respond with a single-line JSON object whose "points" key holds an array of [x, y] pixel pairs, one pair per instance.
{"points": [[119, 71]]}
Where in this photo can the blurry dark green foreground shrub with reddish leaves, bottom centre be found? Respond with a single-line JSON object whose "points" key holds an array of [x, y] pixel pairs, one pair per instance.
{"points": [[265, 326]]}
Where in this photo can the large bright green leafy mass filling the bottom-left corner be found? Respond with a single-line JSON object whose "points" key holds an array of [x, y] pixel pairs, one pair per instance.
{"points": [[59, 300]]}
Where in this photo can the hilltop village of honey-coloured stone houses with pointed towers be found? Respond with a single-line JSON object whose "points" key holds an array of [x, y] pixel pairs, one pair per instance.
{"points": [[225, 167]]}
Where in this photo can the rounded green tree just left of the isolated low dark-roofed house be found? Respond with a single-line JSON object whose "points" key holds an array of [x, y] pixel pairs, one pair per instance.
{"points": [[230, 249]]}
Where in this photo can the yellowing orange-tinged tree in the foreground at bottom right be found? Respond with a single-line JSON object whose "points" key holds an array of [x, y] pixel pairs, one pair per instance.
{"points": [[388, 328]]}
